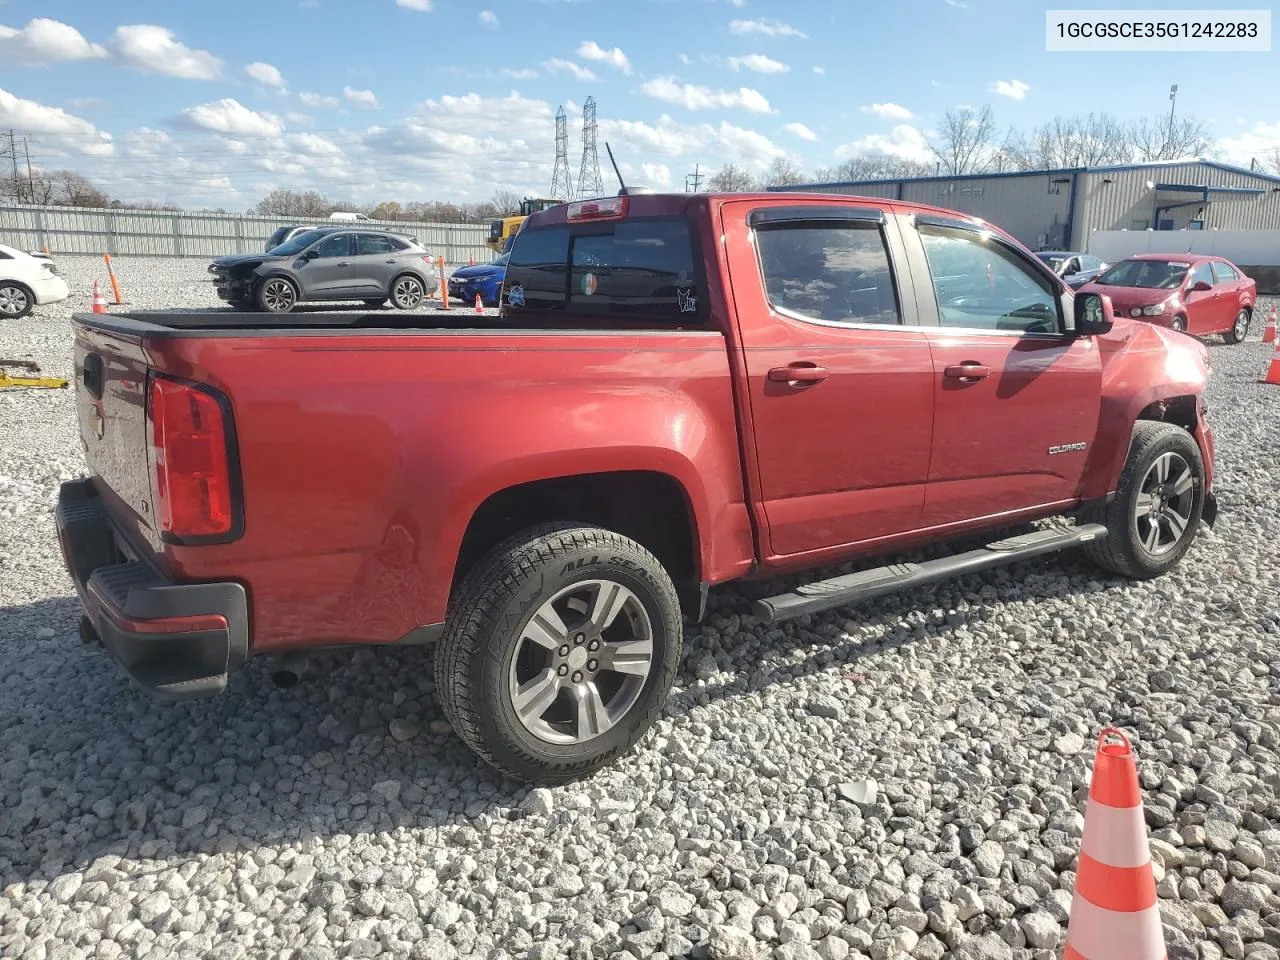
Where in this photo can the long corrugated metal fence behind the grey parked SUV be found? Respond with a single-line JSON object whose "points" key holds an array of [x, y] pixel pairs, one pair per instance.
{"points": [[122, 232]]}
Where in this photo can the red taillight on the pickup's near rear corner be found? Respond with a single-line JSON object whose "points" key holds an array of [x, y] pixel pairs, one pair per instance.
{"points": [[190, 463]]}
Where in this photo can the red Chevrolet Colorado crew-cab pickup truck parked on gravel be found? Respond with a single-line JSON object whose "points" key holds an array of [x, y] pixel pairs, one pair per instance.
{"points": [[680, 392]]}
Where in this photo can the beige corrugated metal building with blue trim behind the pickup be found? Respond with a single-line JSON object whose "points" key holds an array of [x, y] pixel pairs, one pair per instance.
{"points": [[1059, 209]]}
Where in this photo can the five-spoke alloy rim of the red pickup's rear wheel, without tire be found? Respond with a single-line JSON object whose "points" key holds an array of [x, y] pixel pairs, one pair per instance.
{"points": [[582, 662]]}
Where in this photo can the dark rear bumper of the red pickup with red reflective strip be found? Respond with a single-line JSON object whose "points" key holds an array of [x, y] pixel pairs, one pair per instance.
{"points": [[179, 642]]}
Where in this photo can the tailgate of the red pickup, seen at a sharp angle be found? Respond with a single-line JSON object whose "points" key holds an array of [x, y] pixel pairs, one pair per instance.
{"points": [[111, 404]]}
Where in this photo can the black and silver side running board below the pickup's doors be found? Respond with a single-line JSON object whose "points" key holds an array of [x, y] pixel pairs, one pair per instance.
{"points": [[868, 584]]}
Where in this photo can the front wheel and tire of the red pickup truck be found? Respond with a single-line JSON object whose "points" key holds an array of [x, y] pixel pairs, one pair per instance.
{"points": [[1128, 547]]}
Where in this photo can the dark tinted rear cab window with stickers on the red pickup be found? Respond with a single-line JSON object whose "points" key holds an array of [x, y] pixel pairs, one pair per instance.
{"points": [[636, 272]]}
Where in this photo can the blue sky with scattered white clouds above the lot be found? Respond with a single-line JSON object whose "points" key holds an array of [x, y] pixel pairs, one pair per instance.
{"points": [[217, 103]]}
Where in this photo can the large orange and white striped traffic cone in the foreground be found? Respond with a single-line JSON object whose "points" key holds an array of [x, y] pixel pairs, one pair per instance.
{"points": [[1114, 913]]}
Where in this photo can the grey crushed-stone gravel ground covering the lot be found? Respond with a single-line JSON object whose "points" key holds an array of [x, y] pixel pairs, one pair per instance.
{"points": [[902, 781]]}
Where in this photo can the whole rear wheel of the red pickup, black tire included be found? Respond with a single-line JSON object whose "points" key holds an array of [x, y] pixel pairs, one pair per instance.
{"points": [[578, 714]]}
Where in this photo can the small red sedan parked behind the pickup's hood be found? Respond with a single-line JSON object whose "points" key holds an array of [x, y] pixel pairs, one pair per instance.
{"points": [[1196, 295]]}
